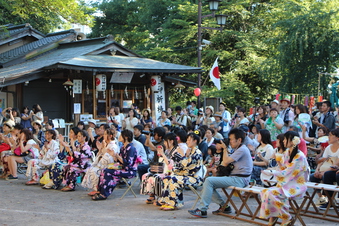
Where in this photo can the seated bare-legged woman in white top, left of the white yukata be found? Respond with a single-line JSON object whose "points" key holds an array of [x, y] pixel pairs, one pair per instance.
{"points": [[27, 152]]}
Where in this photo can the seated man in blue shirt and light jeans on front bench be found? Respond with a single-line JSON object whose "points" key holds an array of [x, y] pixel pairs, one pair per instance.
{"points": [[240, 175]]}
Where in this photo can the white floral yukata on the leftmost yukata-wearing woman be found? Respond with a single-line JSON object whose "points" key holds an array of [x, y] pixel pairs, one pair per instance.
{"points": [[48, 156]]}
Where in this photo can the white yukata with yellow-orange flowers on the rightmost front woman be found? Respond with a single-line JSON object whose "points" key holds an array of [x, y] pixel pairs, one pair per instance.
{"points": [[291, 179]]}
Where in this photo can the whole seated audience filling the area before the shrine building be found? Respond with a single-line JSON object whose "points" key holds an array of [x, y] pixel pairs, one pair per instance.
{"points": [[184, 147]]}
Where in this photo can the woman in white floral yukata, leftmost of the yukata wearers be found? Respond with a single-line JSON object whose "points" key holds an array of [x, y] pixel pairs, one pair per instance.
{"points": [[48, 155]]}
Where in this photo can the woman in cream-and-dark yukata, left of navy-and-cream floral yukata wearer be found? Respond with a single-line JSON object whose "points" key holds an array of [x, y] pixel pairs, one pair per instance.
{"points": [[152, 182]]}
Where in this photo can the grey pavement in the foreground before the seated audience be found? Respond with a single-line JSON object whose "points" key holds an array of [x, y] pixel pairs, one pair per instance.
{"points": [[31, 205]]}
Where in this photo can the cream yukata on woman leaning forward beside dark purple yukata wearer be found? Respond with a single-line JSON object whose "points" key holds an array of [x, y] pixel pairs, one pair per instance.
{"points": [[91, 178]]}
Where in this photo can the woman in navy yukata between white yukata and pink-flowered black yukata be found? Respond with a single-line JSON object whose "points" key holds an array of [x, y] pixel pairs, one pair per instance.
{"points": [[56, 169]]}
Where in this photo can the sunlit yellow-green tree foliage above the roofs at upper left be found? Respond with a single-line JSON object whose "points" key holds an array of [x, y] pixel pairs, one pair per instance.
{"points": [[45, 15]]}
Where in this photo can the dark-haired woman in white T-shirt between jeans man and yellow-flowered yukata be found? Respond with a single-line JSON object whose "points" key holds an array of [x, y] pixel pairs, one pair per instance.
{"points": [[262, 155]]}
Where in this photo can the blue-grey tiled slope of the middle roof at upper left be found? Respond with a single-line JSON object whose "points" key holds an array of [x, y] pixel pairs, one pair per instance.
{"points": [[24, 49]]}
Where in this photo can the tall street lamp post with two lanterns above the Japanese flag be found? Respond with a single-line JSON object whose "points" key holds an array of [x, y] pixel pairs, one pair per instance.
{"points": [[221, 20]]}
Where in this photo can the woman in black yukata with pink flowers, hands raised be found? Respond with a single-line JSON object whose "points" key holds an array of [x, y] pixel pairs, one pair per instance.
{"points": [[79, 161]]}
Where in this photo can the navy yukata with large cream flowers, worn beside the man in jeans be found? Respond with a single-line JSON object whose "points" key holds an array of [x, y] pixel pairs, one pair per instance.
{"points": [[184, 173]]}
